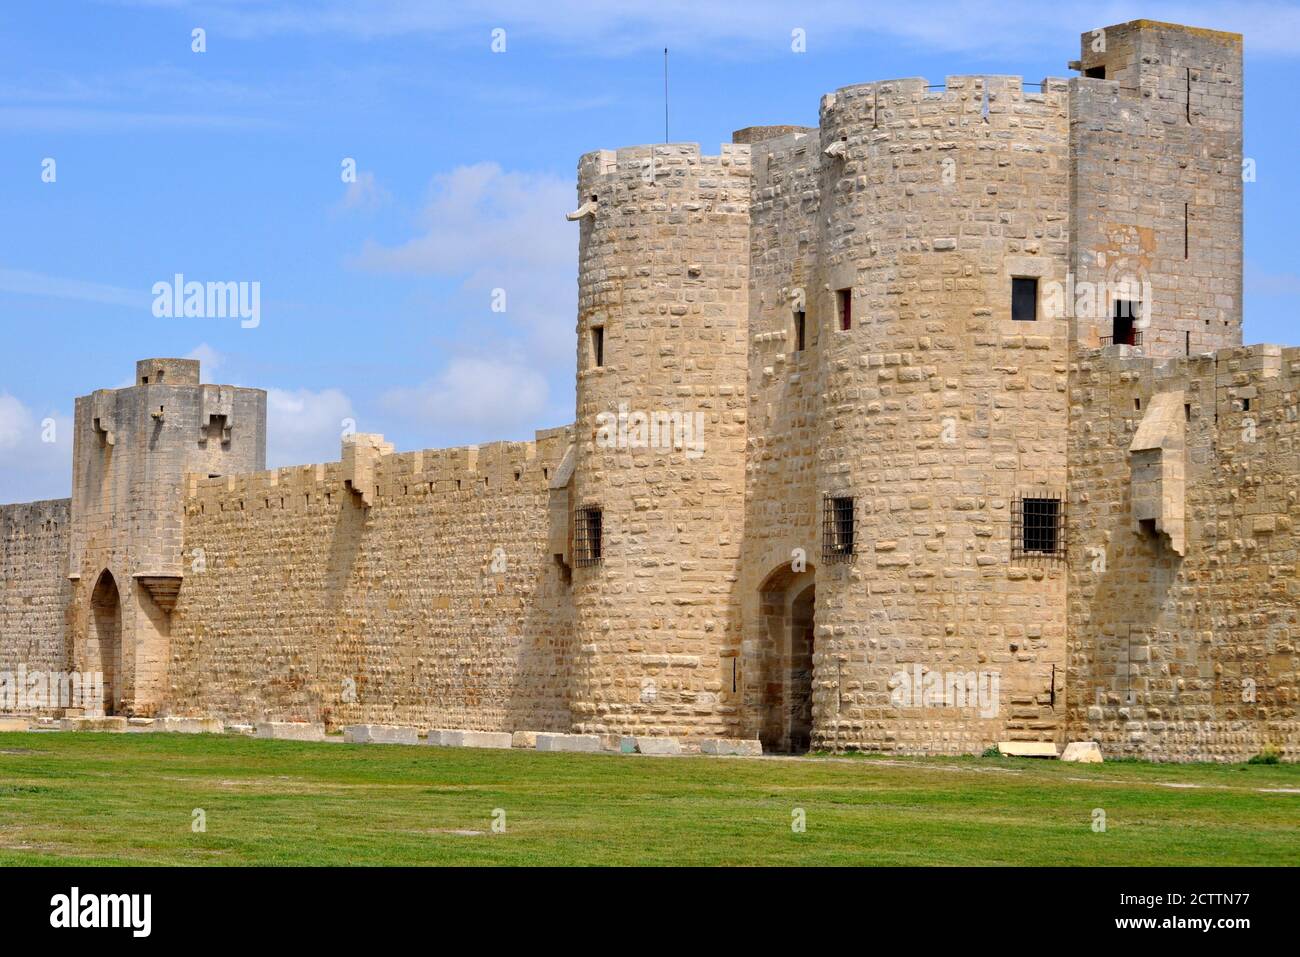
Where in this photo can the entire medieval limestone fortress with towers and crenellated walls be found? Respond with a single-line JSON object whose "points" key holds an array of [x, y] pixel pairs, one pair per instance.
{"points": [[926, 428]]}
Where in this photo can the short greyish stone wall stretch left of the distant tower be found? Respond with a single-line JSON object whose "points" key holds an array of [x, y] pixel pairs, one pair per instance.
{"points": [[34, 588]]}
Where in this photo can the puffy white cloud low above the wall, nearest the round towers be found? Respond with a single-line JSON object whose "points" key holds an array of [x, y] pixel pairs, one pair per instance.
{"points": [[471, 396]]}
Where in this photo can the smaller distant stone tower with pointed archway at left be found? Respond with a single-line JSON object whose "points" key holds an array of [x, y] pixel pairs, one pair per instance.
{"points": [[132, 451]]}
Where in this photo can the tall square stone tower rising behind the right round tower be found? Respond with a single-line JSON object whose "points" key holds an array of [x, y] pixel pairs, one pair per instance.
{"points": [[1156, 181]]}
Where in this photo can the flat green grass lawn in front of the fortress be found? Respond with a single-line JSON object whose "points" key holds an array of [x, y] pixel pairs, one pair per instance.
{"points": [[92, 799]]}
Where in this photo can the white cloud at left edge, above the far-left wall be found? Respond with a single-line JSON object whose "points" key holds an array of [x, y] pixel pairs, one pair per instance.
{"points": [[36, 453]]}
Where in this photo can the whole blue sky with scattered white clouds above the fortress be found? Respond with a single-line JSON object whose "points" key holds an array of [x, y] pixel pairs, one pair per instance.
{"points": [[376, 296]]}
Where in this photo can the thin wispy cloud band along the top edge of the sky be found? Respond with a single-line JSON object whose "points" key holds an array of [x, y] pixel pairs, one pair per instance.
{"points": [[739, 28]]}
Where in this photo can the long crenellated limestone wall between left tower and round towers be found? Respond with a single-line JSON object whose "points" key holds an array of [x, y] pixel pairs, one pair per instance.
{"points": [[439, 605]]}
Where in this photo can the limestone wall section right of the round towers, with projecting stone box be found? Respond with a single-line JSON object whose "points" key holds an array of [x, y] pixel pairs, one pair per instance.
{"points": [[1193, 656]]}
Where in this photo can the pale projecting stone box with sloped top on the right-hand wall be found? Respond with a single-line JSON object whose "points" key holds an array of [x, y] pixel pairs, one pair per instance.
{"points": [[1158, 469]]}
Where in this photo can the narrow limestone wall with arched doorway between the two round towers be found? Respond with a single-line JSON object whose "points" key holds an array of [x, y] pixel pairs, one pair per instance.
{"points": [[782, 506]]}
